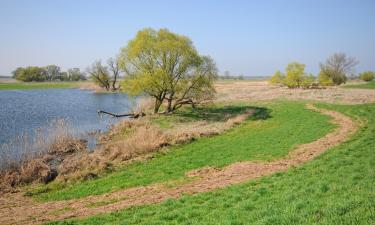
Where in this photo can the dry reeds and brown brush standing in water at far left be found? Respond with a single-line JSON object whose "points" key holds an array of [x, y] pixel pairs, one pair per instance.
{"points": [[34, 157]]}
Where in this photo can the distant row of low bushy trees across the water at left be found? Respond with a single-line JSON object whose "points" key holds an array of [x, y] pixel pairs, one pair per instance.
{"points": [[47, 73]]}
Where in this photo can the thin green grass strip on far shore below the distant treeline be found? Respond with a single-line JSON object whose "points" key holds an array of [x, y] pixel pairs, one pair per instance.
{"points": [[38, 85]]}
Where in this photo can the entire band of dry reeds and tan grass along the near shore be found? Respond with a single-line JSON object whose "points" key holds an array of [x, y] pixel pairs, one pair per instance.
{"points": [[60, 156]]}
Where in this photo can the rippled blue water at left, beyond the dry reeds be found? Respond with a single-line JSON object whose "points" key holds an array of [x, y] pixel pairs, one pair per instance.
{"points": [[24, 111]]}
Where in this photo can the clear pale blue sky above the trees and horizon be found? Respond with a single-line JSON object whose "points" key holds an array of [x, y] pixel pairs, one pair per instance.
{"points": [[250, 38]]}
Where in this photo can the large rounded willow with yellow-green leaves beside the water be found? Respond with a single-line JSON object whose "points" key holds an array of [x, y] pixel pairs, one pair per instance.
{"points": [[167, 67]]}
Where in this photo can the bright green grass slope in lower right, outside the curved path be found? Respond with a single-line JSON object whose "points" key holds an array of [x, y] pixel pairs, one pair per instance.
{"points": [[336, 188]]}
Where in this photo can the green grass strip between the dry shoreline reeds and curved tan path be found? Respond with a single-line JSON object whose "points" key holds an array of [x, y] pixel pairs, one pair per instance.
{"points": [[270, 134]]}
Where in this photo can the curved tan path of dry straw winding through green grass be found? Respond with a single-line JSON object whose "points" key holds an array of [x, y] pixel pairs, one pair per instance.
{"points": [[17, 209]]}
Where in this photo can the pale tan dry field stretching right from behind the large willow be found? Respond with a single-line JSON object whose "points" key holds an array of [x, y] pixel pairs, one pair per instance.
{"points": [[261, 90]]}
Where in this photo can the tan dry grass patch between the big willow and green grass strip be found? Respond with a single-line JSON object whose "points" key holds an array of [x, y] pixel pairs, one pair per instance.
{"points": [[135, 140]]}
